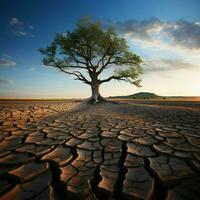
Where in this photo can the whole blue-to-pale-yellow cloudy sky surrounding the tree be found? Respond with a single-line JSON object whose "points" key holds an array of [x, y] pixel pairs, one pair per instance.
{"points": [[165, 33]]}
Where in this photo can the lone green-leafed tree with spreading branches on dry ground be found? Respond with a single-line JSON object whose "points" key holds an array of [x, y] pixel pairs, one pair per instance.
{"points": [[88, 51]]}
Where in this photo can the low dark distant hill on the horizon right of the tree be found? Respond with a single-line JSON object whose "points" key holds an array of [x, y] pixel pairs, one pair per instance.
{"points": [[140, 95]]}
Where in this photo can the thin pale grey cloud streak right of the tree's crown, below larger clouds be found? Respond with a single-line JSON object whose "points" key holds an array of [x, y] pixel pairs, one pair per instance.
{"points": [[161, 65]]}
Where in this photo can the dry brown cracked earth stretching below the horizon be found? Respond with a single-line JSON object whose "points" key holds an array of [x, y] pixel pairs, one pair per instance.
{"points": [[71, 150]]}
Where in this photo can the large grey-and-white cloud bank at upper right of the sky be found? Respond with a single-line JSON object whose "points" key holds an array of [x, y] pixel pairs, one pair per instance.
{"points": [[181, 34]]}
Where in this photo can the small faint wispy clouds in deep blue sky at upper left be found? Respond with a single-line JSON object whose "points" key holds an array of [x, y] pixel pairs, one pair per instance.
{"points": [[19, 28]]}
